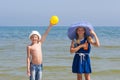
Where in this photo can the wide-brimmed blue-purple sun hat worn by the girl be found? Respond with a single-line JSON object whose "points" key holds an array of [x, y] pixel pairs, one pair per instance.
{"points": [[72, 29]]}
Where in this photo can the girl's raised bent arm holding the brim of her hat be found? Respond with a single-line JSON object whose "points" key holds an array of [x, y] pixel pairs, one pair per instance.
{"points": [[94, 42]]}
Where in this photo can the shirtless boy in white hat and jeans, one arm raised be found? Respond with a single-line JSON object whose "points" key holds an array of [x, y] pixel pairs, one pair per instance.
{"points": [[34, 54]]}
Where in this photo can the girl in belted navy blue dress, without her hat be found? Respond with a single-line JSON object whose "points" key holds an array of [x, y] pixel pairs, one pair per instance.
{"points": [[81, 46]]}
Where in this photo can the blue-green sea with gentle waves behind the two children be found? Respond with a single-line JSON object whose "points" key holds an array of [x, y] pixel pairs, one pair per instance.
{"points": [[56, 57]]}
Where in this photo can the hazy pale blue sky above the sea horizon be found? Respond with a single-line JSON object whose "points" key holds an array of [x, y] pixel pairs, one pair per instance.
{"points": [[38, 12]]}
